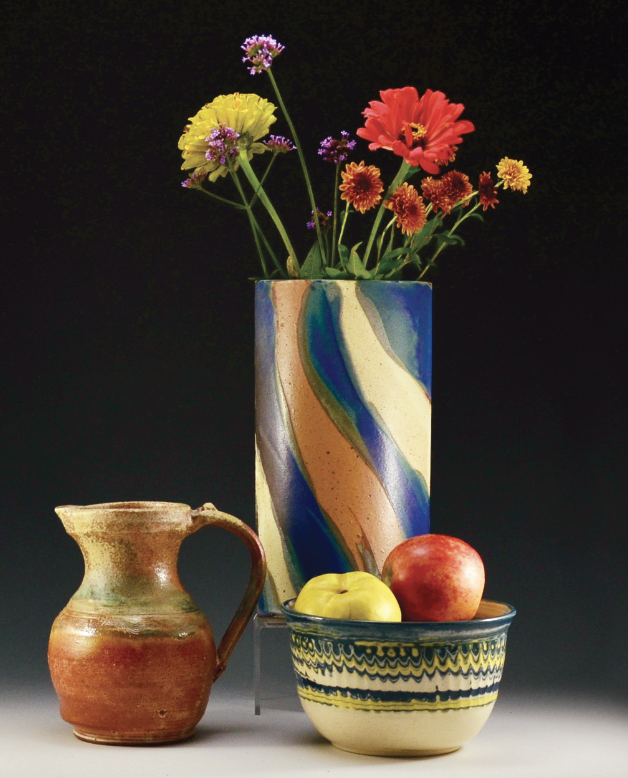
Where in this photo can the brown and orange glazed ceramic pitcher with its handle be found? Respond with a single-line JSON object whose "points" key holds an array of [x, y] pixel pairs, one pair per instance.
{"points": [[131, 656]]}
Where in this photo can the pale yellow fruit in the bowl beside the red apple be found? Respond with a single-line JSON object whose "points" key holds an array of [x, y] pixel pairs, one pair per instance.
{"points": [[356, 596]]}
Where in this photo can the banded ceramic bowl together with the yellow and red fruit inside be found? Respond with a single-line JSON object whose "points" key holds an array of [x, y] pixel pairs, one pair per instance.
{"points": [[421, 686]]}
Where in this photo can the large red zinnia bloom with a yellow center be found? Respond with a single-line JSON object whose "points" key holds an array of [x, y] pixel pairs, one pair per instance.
{"points": [[422, 131]]}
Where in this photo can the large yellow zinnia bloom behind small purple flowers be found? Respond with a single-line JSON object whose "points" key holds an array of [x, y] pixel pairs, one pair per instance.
{"points": [[249, 115]]}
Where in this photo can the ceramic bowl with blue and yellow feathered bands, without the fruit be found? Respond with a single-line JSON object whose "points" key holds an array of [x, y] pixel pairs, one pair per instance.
{"points": [[399, 689]]}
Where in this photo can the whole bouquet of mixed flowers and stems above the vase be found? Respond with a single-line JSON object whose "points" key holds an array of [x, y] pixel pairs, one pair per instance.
{"points": [[413, 223]]}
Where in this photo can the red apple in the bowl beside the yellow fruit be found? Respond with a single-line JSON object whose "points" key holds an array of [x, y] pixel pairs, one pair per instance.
{"points": [[435, 578]]}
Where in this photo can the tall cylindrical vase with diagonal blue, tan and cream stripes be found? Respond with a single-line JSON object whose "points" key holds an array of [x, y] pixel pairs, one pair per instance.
{"points": [[343, 425]]}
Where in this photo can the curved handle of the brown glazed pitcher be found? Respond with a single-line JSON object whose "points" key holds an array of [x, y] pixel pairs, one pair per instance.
{"points": [[209, 514]]}
